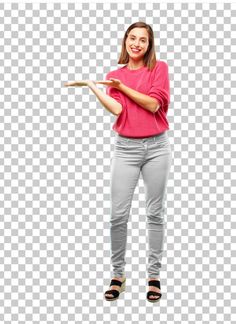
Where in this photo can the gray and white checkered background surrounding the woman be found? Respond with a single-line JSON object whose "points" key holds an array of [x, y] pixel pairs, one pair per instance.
{"points": [[55, 150]]}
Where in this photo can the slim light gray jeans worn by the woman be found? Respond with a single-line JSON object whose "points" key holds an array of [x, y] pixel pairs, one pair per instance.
{"points": [[152, 156]]}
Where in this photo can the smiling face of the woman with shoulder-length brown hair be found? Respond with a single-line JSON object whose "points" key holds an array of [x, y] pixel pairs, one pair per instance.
{"points": [[137, 39]]}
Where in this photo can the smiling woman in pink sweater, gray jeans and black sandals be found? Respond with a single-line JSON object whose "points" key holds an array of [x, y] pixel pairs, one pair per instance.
{"points": [[138, 94]]}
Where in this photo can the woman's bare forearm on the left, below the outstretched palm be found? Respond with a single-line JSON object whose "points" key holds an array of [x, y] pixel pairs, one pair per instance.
{"points": [[108, 102]]}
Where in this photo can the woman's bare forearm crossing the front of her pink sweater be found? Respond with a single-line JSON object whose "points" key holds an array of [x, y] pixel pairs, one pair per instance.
{"points": [[141, 99]]}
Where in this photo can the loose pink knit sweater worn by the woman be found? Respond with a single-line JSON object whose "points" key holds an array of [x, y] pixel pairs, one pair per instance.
{"points": [[134, 120]]}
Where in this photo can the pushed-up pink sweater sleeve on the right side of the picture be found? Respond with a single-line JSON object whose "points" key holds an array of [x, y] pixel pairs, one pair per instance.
{"points": [[160, 88]]}
